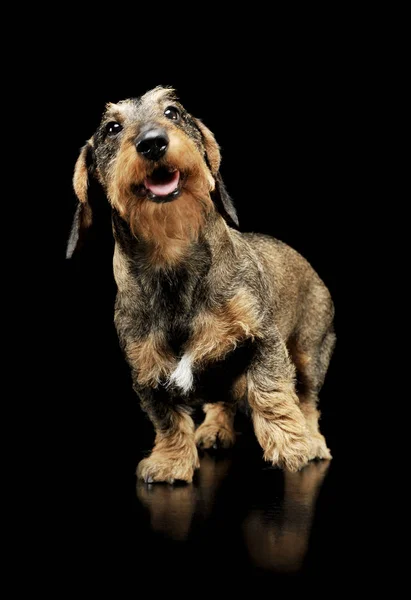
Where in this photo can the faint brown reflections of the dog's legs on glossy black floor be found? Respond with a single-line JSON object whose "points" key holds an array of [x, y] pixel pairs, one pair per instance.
{"points": [[275, 530]]}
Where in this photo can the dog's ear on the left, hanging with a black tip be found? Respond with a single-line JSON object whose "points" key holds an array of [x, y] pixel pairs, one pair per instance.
{"points": [[84, 215]]}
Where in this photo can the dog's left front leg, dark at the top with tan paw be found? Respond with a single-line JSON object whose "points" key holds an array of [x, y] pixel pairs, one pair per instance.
{"points": [[174, 456]]}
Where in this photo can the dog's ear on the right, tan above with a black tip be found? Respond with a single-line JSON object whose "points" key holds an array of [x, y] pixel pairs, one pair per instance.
{"points": [[220, 195]]}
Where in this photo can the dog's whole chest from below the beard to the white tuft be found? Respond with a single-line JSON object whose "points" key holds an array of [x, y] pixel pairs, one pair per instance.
{"points": [[175, 325]]}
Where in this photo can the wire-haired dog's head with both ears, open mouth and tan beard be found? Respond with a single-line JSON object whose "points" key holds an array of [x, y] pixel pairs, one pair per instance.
{"points": [[159, 168]]}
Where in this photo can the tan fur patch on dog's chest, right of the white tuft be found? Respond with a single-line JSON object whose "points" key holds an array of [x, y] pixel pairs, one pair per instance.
{"points": [[218, 332]]}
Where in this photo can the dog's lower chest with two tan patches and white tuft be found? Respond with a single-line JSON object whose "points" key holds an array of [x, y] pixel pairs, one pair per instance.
{"points": [[176, 352]]}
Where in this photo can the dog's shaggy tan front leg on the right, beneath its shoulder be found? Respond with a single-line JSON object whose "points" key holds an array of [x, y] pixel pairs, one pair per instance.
{"points": [[279, 424]]}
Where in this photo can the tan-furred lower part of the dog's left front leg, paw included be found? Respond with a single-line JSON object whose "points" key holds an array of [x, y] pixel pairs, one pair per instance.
{"points": [[174, 455]]}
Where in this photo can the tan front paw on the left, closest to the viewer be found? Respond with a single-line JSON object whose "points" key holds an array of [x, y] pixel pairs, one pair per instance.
{"points": [[163, 467]]}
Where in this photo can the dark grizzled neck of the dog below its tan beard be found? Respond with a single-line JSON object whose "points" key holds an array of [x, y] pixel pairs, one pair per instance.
{"points": [[171, 295]]}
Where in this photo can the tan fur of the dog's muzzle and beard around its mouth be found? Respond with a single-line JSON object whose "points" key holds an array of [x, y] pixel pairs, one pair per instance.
{"points": [[170, 227]]}
